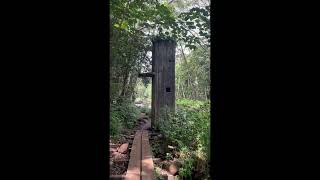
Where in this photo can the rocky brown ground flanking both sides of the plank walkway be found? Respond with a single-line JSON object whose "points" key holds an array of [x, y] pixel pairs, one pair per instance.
{"points": [[164, 155]]}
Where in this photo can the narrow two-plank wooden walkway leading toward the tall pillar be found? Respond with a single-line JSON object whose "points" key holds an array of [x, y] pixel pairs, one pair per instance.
{"points": [[140, 164]]}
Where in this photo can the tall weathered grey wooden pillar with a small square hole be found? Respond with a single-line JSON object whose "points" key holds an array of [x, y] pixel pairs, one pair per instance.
{"points": [[163, 81]]}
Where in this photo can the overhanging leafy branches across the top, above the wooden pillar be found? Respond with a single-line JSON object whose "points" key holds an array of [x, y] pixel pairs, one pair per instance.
{"points": [[156, 19]]}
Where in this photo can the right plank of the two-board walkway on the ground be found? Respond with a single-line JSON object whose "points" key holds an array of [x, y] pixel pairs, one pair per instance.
{"points": [[147, 169]]}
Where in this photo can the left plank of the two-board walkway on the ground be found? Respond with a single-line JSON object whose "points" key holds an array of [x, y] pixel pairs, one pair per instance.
{"points": [[134, 167]]}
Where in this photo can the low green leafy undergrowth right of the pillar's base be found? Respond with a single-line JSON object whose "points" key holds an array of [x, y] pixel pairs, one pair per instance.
{"points": [[193, 139]]}
